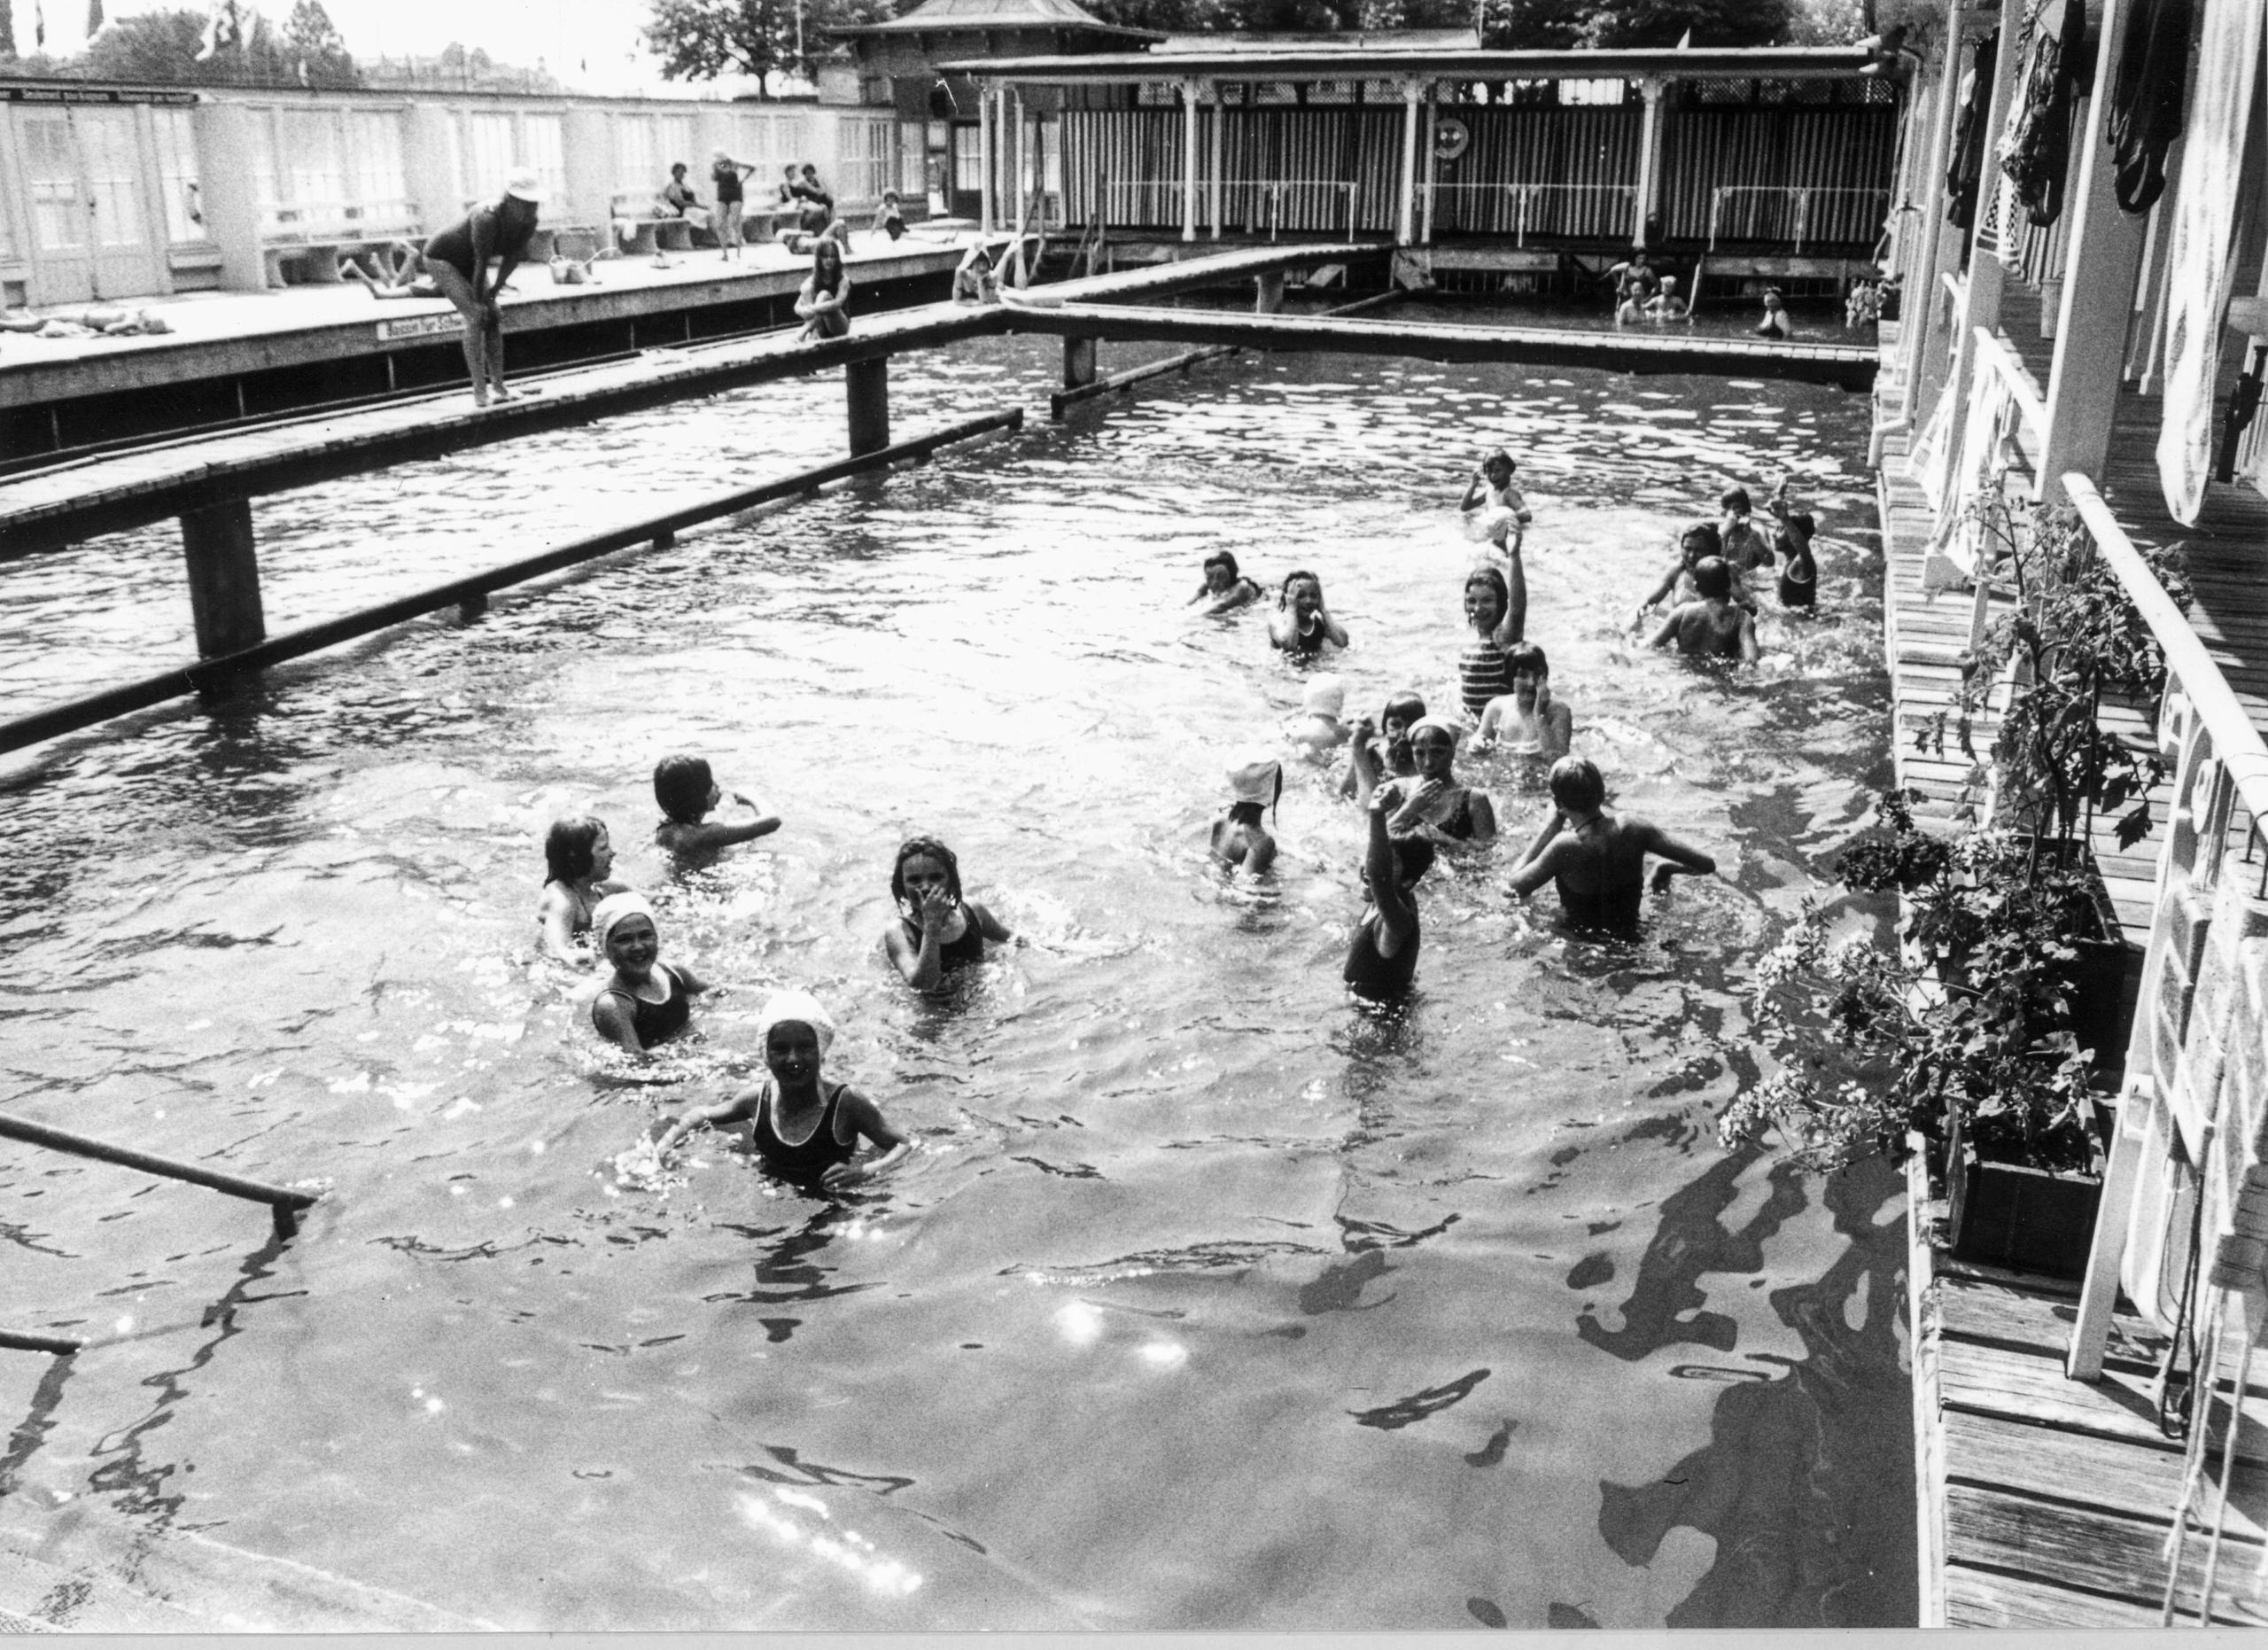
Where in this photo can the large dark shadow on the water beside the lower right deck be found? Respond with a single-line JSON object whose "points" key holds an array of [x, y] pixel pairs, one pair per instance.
{"points": [[1804, 1472]]}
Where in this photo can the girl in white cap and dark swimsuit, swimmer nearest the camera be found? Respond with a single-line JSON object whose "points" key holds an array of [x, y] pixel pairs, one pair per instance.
{"points": [[806, 1131]]}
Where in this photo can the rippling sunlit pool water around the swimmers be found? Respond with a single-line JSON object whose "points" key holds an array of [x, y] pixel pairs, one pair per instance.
{"points": [[1208, 1302]]}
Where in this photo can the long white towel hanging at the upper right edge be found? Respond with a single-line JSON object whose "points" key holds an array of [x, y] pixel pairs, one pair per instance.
{"points": [[2199, 260]]}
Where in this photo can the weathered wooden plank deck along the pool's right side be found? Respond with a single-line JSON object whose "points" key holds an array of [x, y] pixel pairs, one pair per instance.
{"points": [[2047, 1501]]}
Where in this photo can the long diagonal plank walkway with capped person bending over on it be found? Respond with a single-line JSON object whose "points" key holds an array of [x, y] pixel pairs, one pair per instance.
{"points": [[103, 496]]}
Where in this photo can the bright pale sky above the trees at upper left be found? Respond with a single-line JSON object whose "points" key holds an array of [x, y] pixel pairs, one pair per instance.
{"points": [[589, 44]]}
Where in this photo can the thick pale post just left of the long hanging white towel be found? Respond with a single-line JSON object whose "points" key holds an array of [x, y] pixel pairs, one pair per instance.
{"points": [[2099, 292]]}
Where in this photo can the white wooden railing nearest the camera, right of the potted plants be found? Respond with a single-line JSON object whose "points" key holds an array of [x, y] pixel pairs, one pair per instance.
{"points": [[2185, 1199]]}
